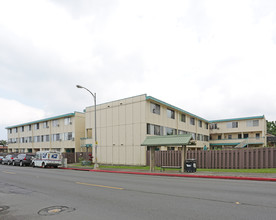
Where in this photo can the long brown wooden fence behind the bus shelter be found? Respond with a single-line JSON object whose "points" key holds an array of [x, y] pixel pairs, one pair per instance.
{"points": [[221, 159]]}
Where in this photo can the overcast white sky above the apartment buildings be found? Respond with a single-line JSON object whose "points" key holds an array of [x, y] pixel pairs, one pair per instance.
{"points": [[213, 58]]}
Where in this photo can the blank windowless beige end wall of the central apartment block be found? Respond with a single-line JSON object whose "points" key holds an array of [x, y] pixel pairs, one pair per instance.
{"points": [[121, 128]]}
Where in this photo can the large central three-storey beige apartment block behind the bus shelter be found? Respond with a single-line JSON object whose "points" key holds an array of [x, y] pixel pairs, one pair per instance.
{"points": [[123, 125]]}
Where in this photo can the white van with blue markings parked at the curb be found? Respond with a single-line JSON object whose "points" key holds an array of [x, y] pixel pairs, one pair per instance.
{"points": [[47, 159]]}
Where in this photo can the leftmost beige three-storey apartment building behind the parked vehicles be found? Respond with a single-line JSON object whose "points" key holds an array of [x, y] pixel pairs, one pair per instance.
{"points": [[61, 133]]}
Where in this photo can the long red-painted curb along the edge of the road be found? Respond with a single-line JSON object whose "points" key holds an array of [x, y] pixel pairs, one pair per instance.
{"points": [[176, 175]]}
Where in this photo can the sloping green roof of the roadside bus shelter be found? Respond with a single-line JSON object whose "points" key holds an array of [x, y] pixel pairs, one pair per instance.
{"points": [[170, 140]]}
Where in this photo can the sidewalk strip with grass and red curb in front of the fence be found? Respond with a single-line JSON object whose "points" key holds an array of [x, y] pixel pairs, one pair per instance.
{"points": [[176, 173]]}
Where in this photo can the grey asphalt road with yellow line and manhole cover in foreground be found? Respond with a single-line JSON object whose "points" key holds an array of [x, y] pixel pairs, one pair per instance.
{"points": [[35, 193]]}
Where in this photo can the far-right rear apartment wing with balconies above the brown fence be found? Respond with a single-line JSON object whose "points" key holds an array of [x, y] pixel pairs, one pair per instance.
{"points": [[238, 132]]}
